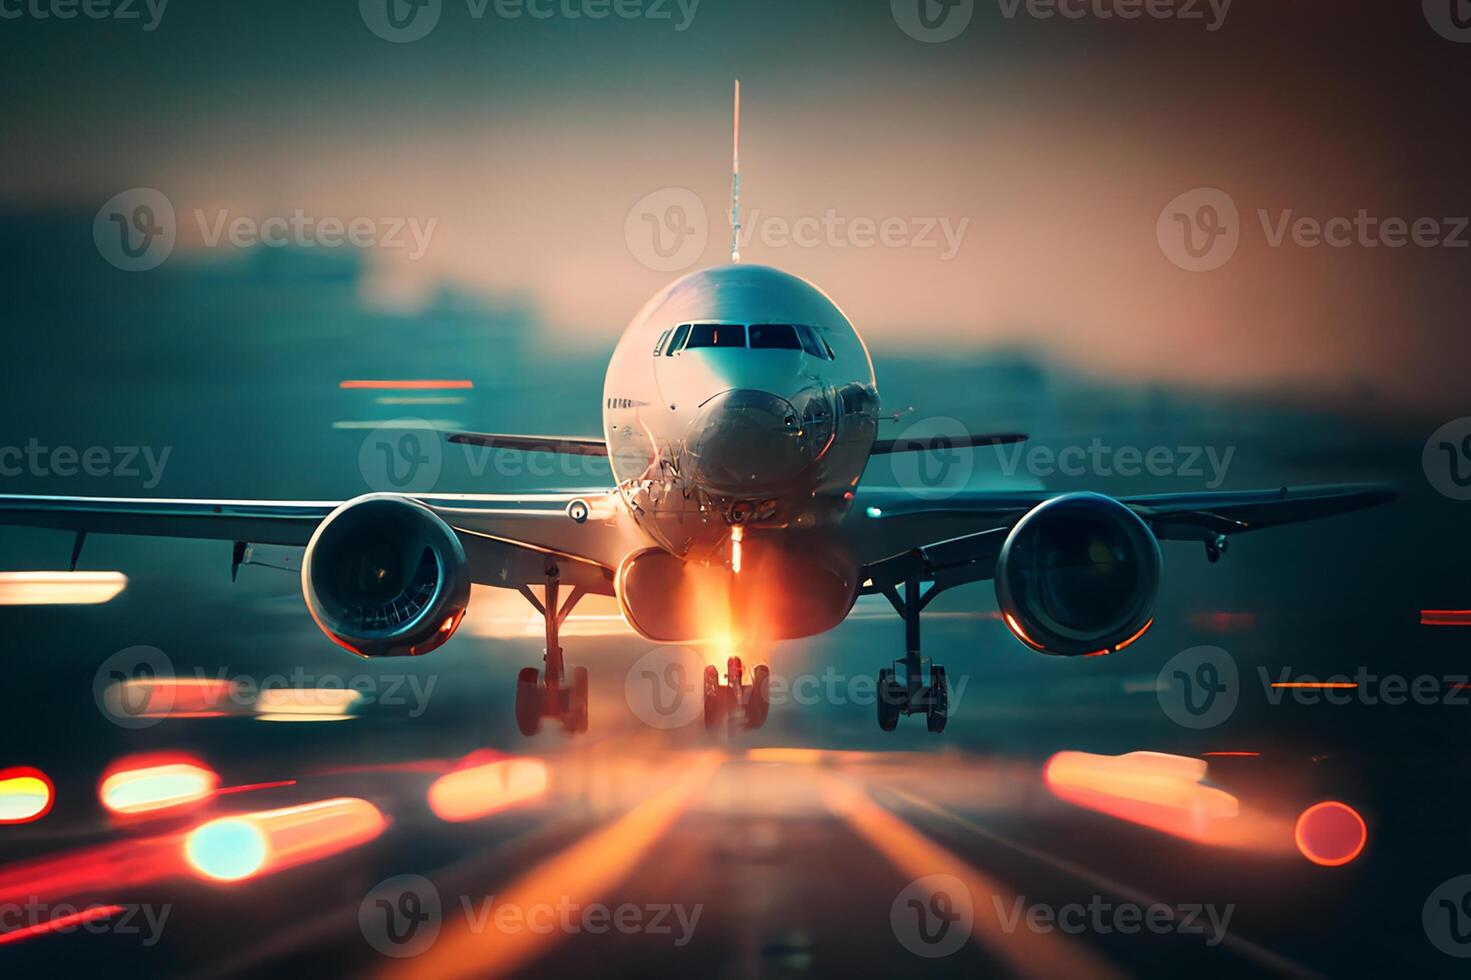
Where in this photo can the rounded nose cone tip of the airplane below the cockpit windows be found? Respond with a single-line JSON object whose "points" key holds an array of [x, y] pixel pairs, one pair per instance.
{"points": [[747, 442]]}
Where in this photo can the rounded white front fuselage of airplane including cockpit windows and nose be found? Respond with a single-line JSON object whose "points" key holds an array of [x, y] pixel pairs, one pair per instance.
{"points": [[738, 397]]}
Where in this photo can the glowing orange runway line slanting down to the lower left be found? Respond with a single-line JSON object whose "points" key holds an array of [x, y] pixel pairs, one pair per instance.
{"points": [[579, 875]]}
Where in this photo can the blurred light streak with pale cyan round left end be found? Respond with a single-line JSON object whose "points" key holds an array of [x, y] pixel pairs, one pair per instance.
{"points": [[249, 845]]}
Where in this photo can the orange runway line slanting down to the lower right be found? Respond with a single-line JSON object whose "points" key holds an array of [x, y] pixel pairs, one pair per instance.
{"points": [[1026, 953]]}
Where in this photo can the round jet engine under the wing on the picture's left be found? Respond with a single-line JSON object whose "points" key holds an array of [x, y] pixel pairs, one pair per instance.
{"points": [[386, 578]]}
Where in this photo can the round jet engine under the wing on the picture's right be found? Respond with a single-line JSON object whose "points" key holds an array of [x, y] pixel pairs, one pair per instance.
{"points": [[1078, 576]]}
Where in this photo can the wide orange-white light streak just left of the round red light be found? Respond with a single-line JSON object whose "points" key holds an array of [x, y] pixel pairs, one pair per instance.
{"points": [[1167, 794]]}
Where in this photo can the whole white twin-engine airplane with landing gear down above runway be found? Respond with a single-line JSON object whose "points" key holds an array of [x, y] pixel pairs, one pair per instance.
{"points": [[741, 410]]}
